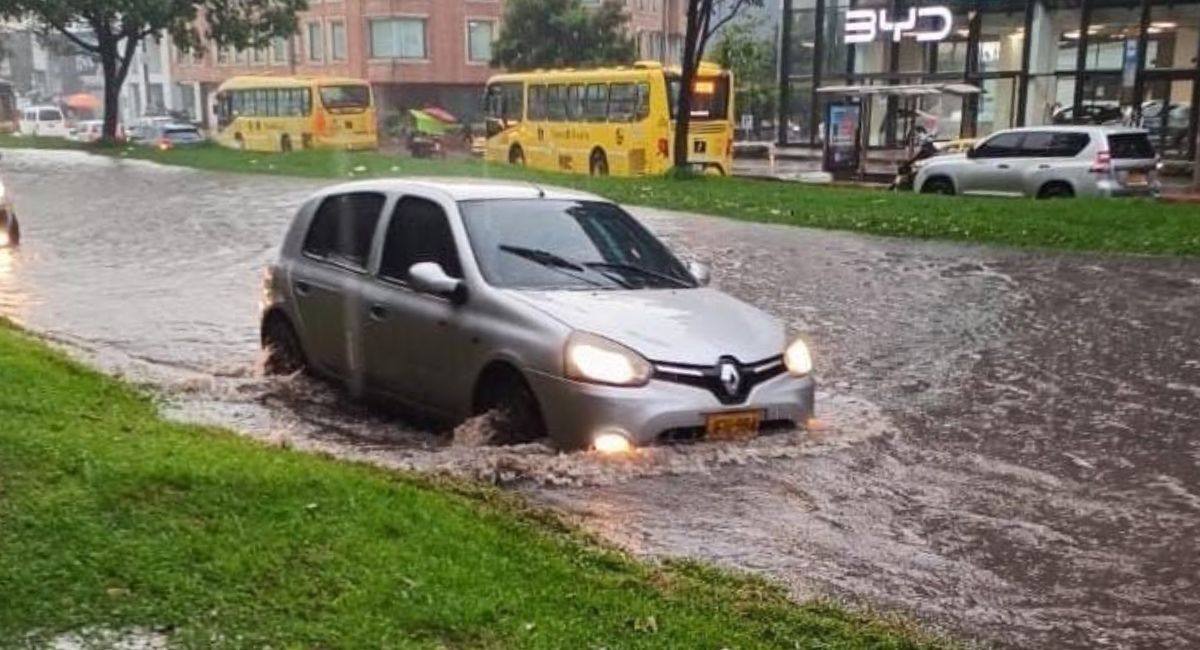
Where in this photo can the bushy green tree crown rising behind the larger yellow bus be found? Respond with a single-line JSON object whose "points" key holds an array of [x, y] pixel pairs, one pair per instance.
{"points": [[563, 34]]}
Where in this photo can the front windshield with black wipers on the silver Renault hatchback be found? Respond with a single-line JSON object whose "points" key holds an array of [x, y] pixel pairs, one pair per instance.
{"points": [[544, 244]]}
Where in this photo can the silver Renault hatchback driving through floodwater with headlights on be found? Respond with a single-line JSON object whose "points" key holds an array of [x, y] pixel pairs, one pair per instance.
{"points": [[554, 310]]}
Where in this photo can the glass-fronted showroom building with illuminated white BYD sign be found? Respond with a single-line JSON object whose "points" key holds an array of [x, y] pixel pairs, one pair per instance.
{"points": [[1036, 62]]}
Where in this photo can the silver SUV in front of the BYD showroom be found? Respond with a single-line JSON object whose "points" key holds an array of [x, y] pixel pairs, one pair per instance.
{"points": [[1049, 162]]}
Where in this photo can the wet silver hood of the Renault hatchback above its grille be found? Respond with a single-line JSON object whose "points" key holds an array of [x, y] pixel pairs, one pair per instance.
{"points": [[695, 327]]}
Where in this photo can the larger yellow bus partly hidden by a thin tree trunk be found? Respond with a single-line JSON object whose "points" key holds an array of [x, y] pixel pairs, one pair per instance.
{"points": [[608, 122]]}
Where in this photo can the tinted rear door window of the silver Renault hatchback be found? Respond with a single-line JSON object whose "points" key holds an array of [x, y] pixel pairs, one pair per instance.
{"points": [[343, 230]]}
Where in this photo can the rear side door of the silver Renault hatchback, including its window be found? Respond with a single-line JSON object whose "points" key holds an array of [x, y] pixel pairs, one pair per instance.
{"points": [[328, 276]]}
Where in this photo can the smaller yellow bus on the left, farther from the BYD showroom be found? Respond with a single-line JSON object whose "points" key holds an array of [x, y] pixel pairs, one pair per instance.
{"points": [[261, 113]]}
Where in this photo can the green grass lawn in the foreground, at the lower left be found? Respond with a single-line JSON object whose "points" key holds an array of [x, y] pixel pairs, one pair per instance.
{"points": [[112, 519]]}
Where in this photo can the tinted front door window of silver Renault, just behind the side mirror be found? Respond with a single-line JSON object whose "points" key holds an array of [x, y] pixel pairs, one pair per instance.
{"points": [[419, 232]]}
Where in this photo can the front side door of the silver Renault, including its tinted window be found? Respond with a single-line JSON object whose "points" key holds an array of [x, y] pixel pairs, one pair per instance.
{"points": [[413, 342]]}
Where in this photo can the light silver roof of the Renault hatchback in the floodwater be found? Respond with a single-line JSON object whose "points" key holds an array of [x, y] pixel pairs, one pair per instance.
{"points": [[464, 189]]}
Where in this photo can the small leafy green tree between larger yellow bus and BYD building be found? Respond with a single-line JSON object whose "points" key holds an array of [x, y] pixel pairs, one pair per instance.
{"points": [[742, 50]]}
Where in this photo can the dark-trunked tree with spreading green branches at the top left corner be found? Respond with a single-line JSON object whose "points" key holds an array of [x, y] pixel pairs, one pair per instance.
{"points": [[112, 29]]}
